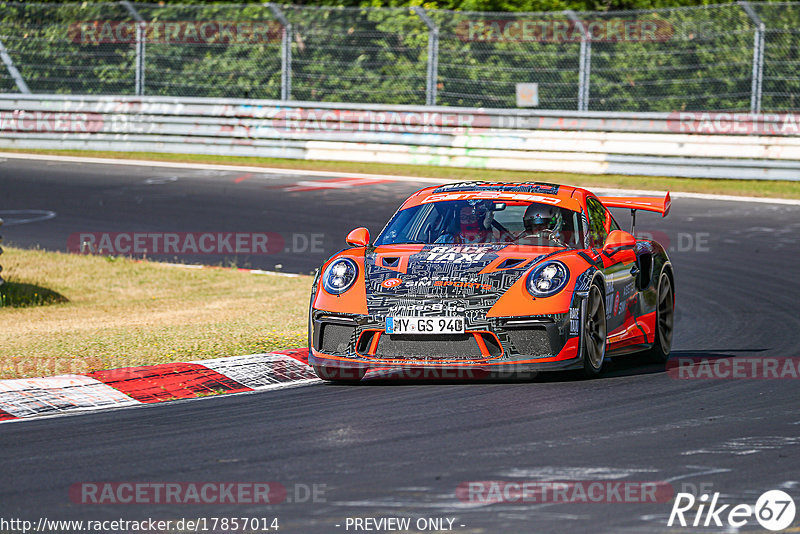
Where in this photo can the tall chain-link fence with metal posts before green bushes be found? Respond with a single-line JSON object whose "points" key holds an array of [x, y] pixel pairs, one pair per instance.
{"points": [[732, 57]]}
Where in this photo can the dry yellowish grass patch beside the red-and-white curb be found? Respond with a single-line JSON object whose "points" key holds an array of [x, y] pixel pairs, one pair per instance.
{"points": [[116, 312]]}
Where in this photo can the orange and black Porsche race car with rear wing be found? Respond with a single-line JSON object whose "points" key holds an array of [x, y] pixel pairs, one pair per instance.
{"points": [[493, 277]]}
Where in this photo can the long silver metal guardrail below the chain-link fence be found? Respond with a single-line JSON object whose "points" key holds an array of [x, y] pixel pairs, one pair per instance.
{"points": [[707, 145]]}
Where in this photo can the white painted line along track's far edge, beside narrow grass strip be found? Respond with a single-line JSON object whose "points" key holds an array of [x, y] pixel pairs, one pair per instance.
{"points": [[393, 178]]}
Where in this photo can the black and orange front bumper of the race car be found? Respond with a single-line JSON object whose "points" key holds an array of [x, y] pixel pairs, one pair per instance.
{"points": [[510, 344]]}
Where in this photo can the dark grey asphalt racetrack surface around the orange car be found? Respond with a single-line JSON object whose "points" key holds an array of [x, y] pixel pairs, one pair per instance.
{"points": [[389, 449]]}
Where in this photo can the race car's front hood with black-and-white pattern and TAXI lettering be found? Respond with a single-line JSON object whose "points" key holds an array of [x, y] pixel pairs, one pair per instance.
{"points": [[446, 271]]}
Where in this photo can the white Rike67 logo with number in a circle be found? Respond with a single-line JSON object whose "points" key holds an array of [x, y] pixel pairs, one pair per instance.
{"points": [[774, 510]]}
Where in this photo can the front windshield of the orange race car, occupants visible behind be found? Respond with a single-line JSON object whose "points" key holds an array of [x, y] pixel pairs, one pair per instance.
{"points": [[484, 221]]}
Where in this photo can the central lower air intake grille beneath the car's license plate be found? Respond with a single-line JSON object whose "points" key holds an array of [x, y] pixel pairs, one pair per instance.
{"points": [[436, 347]]}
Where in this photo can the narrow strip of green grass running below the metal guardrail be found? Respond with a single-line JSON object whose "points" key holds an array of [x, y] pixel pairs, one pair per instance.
{"points": [[756, 188]]}
